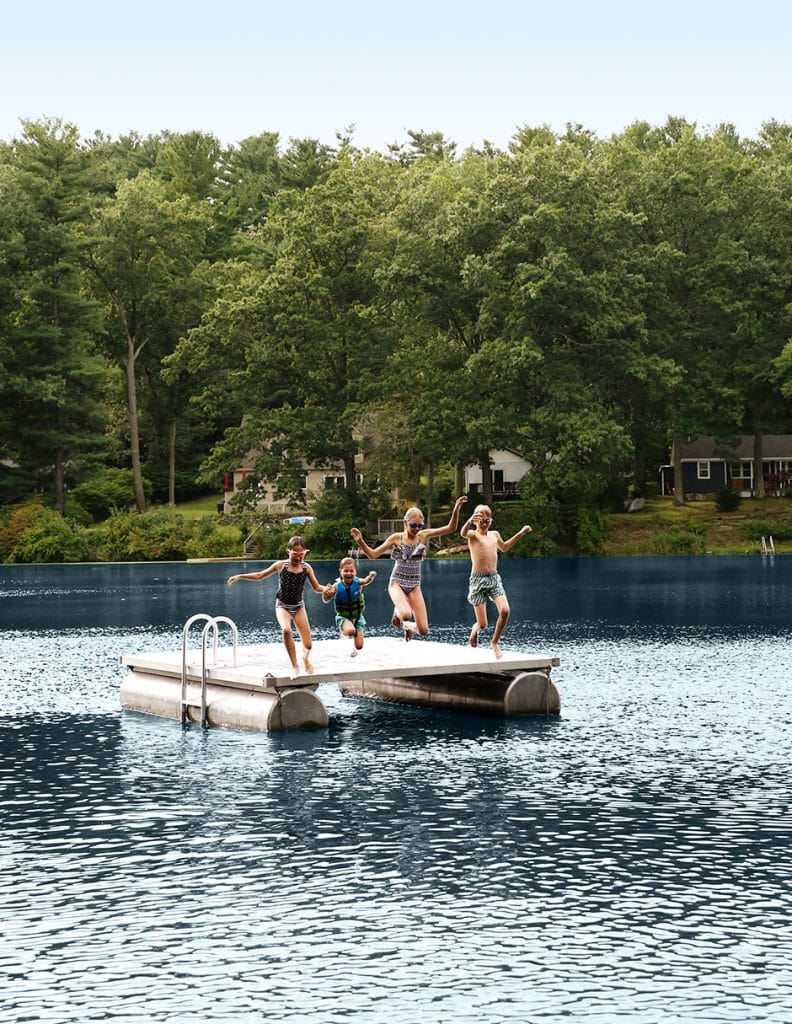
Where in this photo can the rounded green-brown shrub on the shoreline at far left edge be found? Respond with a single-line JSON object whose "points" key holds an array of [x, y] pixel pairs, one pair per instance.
{"points": [[36, 534]]}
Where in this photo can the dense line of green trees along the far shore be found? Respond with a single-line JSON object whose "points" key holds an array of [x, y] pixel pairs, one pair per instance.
{"points": [[177, 308]]}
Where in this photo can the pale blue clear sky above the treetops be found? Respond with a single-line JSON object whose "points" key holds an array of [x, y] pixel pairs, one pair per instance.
{"points": [[475, 72]]}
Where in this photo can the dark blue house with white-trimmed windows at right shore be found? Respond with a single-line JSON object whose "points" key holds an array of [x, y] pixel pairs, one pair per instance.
{"points": [[711, 466]]}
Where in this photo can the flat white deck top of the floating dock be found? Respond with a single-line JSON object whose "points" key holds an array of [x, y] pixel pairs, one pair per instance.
{"points": [[266, 667]]}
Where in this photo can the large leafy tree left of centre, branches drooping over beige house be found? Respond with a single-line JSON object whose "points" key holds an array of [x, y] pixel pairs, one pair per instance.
{"points": [[308, 335]]}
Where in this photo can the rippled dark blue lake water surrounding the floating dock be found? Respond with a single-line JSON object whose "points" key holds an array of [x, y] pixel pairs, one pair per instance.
{"points": [[628, 862]]}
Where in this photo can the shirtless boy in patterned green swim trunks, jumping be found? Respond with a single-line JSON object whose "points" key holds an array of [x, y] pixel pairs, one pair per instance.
{"points": [[485, 579]]}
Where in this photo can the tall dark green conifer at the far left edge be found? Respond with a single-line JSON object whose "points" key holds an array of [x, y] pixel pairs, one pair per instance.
{"points": [[53, 375]]}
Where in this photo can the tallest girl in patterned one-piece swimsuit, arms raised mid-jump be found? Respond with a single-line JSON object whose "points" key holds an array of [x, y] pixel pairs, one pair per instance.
{"points": [[408, 550]]}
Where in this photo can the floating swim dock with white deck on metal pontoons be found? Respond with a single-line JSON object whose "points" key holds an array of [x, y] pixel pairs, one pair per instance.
{"points": [[252, 688]]}
